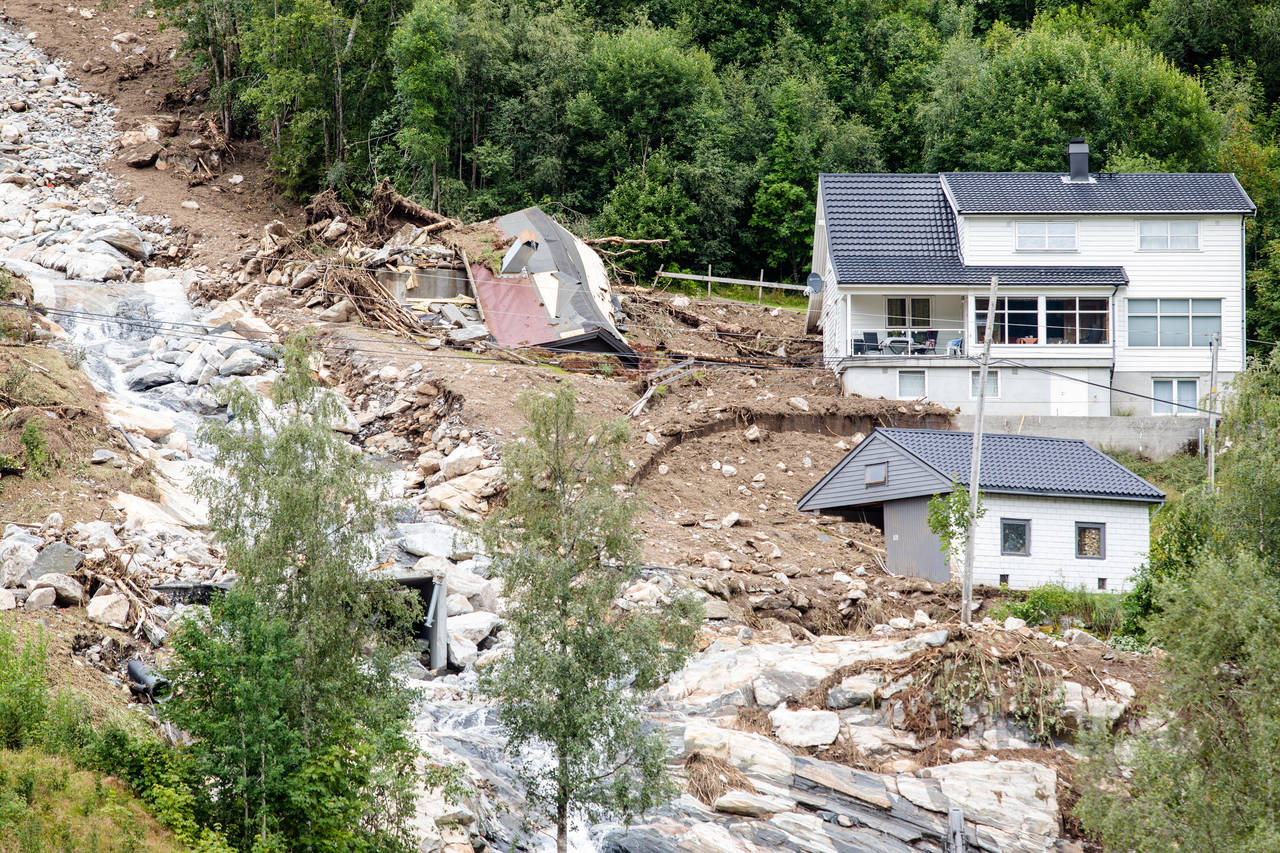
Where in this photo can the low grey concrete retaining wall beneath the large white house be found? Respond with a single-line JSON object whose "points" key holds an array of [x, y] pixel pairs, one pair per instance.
{"points": [[1156, 437]]}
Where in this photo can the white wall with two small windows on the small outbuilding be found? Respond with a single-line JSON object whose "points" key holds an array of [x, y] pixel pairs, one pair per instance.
{"points": [[1053, 542]]}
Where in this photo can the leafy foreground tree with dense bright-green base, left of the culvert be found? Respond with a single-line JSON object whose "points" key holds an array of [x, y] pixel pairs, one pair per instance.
{"points": [[290, 686]]}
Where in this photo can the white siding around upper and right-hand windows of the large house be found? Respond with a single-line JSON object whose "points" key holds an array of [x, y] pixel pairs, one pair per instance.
{"points": [[1213, 272]]}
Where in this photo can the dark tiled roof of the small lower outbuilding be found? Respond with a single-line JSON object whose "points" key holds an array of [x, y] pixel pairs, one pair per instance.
{"points": [[1026, 464]]}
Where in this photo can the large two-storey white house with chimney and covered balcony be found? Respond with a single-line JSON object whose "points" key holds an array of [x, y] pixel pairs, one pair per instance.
{"points": [[1112, 288]]}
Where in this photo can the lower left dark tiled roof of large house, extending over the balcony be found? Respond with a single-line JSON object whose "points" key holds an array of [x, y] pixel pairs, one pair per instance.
{"points": [[899, 230]]}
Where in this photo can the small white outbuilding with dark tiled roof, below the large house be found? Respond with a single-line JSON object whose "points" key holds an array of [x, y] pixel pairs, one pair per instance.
{"points": [[1057, 510]]}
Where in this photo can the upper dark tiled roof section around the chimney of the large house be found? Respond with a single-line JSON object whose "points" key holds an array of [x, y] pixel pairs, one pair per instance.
{"points": [[1045, 193]]}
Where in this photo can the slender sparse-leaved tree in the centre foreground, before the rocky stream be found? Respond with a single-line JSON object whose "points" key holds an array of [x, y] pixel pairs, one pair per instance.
{"points": [[578, 670]]}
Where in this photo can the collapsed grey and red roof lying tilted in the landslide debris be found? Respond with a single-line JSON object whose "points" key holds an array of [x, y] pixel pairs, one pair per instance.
{"points": [[552, 290]]}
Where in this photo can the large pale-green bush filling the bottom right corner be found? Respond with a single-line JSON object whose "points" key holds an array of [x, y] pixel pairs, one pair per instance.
{"points": [[1220, 750]]}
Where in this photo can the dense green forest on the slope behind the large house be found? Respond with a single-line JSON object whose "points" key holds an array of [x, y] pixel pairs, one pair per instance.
{"points": [[707, 124]]}
